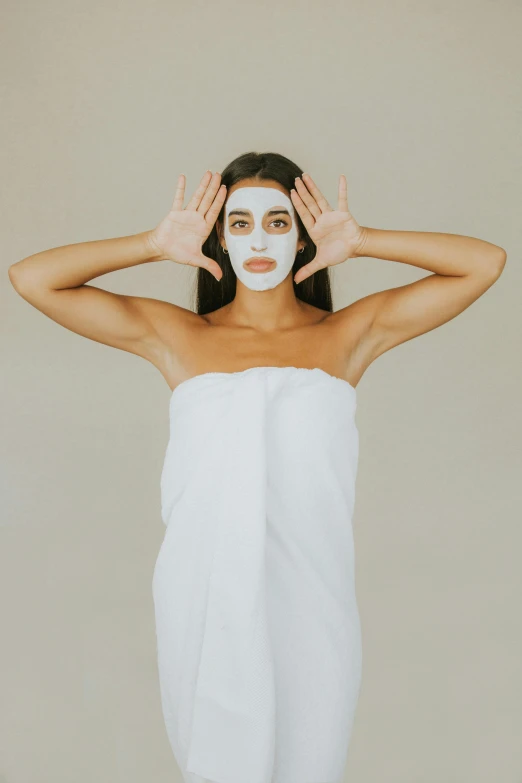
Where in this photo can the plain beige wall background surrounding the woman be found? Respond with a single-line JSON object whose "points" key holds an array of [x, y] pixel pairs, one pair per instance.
{"points": [[418, 103]]}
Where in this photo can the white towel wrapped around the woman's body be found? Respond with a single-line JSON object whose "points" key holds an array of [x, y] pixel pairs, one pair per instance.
{"points": [[258, 630]]}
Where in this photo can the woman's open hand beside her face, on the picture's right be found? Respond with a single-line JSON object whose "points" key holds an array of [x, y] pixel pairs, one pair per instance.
{"points": [[336, 233]]}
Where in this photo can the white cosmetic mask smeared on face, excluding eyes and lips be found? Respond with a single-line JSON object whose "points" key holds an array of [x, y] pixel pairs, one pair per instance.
{"points": [[258, 243]]}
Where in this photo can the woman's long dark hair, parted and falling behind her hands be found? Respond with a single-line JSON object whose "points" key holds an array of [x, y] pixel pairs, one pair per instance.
{"points": [[211, 293]]}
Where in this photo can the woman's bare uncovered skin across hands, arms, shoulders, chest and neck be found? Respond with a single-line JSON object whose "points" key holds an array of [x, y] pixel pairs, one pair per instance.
{"points": [[273, 327]]}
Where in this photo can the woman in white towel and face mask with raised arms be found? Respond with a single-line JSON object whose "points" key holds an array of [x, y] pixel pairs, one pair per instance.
{"points": [[258, 632]]}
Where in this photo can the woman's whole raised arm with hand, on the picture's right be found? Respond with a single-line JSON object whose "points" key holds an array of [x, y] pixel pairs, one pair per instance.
{"points": [[463, 269]]}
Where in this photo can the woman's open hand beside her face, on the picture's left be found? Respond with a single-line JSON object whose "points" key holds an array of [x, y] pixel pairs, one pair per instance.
{"points": [[181, 234]]}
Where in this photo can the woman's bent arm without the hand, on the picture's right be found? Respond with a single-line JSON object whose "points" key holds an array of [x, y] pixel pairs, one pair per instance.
{"points": [[463, 269]]}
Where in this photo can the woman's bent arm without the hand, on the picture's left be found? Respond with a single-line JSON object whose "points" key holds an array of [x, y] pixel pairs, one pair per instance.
{"points": [[55, 282]]}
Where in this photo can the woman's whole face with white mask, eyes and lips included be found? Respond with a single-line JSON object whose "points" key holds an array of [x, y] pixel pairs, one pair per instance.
{"points": [[260, 233]]}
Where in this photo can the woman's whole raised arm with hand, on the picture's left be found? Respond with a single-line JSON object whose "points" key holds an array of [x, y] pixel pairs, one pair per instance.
{"points": [[55, 281]]}
